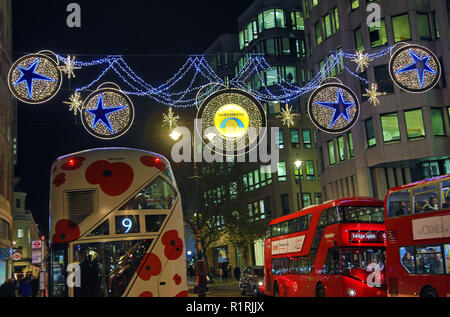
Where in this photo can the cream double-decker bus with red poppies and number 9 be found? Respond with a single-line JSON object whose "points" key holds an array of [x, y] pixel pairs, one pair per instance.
{"points": [[116, 226]]}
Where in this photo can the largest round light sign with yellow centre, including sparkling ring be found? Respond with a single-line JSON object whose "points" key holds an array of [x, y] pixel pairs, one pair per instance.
{"points": [[233, 121]]}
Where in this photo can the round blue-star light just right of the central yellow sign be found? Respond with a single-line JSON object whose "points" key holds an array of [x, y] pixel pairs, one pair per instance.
{"points": [[333, 108]]}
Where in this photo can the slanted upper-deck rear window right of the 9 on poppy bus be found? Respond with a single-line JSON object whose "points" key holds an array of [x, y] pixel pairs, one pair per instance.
{"points": [[156, 195]]}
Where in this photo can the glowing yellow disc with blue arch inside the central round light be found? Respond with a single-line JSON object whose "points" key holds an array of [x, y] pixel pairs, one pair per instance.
{"points": [[231, 121]]}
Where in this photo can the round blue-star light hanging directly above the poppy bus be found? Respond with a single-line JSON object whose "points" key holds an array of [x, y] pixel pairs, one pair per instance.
{"points": [[107, 113]]}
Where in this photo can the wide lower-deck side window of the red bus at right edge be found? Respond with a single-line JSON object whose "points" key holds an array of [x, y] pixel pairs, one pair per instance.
{"points": [[429, 260]]}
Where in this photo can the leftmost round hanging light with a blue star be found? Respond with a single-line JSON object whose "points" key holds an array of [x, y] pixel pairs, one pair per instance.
{"points": [[34, 78]]}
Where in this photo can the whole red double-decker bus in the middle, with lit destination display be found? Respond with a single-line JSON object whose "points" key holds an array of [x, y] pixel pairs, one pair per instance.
{"points": [[334, 249]]}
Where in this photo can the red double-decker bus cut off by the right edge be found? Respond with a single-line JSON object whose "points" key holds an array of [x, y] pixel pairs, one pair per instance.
{"points": [[418, 238]]}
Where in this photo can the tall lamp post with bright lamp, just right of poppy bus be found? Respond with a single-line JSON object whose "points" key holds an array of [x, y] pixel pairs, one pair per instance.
{"points": [[201, 262]]}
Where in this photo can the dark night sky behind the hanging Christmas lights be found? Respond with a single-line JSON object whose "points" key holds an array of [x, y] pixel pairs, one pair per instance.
{"points": [[166, 31]]}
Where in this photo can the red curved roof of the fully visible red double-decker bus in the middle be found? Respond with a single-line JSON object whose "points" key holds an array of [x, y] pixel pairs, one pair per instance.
{"points": [[350, 201]]}
